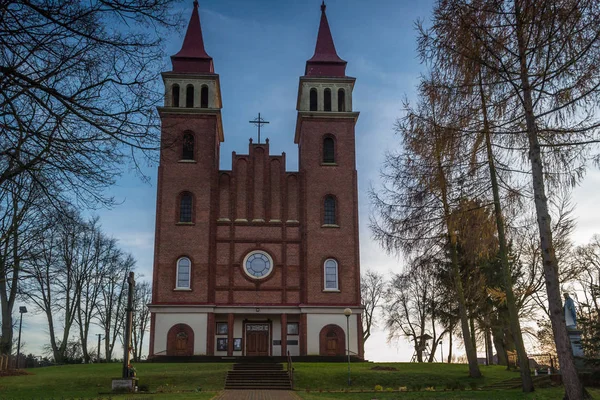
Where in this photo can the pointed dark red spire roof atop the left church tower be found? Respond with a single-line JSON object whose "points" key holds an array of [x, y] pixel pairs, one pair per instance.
{"points": [[192, 57]]}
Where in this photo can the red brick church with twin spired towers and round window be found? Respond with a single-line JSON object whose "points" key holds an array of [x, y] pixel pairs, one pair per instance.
{"points": [[256, 260]]}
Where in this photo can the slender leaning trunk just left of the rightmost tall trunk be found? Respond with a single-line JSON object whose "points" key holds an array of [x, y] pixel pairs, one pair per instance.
{"points": [[511, 302]]}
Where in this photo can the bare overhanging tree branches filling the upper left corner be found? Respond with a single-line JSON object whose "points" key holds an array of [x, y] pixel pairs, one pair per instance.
{"points": [[77, 89]]}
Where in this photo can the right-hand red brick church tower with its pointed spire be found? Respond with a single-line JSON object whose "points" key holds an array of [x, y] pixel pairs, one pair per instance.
{"points": [[327, 162]]}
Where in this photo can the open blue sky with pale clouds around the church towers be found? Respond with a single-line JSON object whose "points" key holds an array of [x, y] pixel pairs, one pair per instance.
{"points": [[260, 48]]}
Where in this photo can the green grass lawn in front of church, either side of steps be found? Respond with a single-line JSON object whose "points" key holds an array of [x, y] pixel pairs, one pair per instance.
{"points": [[313, 381]]}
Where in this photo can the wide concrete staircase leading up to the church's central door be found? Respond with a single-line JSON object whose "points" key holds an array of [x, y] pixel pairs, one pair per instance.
{"points": [[263, 376]]}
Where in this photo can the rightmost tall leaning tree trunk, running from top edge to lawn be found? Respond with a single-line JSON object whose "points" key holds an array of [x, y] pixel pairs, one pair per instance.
{"points": [[573, 387]]}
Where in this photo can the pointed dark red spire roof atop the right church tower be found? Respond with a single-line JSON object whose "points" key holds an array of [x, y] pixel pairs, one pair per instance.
{"points": [[325, 61]]}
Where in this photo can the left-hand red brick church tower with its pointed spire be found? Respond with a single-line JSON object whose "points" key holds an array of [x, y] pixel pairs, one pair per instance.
{"points": [[191, 134]]}
